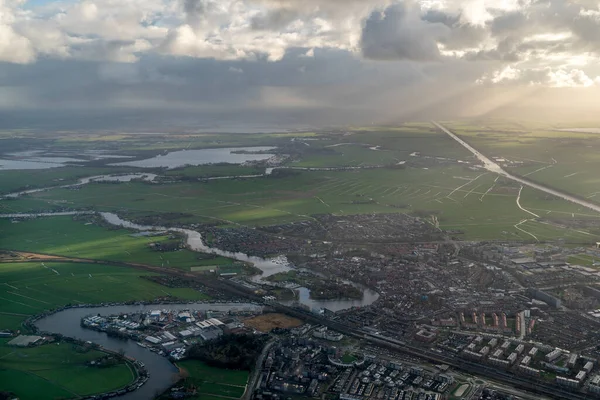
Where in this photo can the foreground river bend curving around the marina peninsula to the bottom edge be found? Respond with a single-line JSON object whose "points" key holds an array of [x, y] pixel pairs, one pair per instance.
{"points": [[161, 370]]}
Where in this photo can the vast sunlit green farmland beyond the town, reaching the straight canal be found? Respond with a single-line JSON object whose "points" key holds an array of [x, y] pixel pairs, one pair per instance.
{"points": [[433, 185]]}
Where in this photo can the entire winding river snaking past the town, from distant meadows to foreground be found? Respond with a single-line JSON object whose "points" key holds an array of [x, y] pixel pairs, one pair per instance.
{"points": [[67, 322]]}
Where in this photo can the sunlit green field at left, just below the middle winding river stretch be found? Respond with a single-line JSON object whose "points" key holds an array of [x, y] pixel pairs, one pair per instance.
{"points": [[76, 238]]}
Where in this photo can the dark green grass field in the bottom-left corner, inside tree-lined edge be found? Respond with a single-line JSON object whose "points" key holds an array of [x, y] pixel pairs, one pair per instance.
{"points": [[56, 371]]}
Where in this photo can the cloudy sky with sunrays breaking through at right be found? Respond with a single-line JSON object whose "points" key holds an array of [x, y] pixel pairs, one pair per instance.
{"points": [[309, 62]]}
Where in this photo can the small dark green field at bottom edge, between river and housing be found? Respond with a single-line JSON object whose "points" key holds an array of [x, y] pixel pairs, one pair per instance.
{"points": [[221, 383]]}
